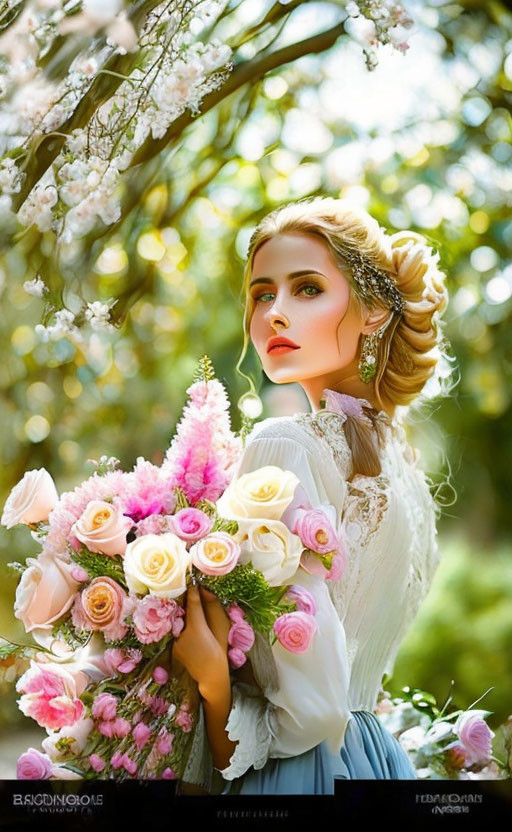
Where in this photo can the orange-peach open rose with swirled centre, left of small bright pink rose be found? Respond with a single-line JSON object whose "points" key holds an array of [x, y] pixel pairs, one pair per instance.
{"points": [[103, 605]]}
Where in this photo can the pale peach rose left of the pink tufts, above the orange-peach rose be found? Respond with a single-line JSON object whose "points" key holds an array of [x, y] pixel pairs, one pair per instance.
{"points": [[103, 528]]}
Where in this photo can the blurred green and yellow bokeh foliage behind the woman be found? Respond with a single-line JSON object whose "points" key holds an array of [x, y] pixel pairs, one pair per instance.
{"points": [[422, 141]]}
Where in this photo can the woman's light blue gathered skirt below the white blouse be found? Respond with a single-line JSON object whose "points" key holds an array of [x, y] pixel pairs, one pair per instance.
{"points": [[369, 752]]}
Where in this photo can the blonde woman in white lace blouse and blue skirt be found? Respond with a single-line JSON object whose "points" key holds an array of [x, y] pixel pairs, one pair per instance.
{"points": [[351, 314]]}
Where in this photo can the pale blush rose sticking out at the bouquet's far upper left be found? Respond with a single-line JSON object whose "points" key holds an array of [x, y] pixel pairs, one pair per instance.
{"points": [[31, 500]]}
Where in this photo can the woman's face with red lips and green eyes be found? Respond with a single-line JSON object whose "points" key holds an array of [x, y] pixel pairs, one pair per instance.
{"points": [[300, 293]]}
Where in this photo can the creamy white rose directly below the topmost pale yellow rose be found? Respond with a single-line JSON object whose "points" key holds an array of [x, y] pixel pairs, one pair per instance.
{"points": [[271, 548]]}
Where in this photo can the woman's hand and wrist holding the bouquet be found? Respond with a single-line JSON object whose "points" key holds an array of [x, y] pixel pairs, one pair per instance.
{"points": [[202, 645]]}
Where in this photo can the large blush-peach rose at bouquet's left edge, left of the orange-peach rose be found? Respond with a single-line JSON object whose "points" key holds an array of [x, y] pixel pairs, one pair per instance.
{"points": [[45, 592]]}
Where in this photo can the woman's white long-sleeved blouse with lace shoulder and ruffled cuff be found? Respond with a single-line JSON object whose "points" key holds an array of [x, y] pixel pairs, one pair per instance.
{"points": [[389, 524]]}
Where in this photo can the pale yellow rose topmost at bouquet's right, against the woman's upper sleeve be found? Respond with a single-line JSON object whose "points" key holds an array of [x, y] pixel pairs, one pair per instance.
{"points": [[265, 494]]}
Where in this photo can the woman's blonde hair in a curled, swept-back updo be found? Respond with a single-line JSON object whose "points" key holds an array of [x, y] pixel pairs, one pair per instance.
{"points": [[411, 345]]}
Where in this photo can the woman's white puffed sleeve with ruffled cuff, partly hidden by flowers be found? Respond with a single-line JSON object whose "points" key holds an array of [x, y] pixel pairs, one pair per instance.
{"points": [[305, 696]]}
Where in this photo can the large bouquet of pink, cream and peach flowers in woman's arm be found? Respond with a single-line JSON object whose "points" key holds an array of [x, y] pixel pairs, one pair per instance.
{"points": [[104, 598]]}
